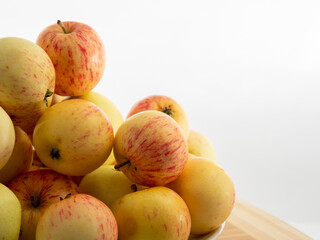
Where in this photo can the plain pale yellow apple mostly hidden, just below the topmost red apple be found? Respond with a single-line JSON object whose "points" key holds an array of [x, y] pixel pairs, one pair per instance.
{"points": [[112, 112]]}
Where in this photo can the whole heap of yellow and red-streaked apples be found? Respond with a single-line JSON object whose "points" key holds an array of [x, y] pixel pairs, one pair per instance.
{"points": [[72, 168]]}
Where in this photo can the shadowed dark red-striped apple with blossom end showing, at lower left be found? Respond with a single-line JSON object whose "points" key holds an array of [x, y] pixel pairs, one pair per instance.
{"points": [[37, 190]]}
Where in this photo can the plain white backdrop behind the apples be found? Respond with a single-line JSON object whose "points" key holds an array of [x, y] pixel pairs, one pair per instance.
{"points": [[246, 72]]}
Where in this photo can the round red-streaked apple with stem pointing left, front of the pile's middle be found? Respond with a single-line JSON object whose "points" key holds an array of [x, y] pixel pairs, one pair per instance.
{"points": [[154, 144]]}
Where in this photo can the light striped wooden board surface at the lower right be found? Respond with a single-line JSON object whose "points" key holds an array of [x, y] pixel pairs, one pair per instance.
{"points": [[247, 222]]}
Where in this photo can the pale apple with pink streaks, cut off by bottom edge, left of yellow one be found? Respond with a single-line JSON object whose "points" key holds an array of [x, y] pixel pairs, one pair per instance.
{"points": [[79, 217]]}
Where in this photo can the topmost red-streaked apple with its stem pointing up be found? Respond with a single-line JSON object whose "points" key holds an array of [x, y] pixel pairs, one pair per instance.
{"points": [[78, 56]]}
